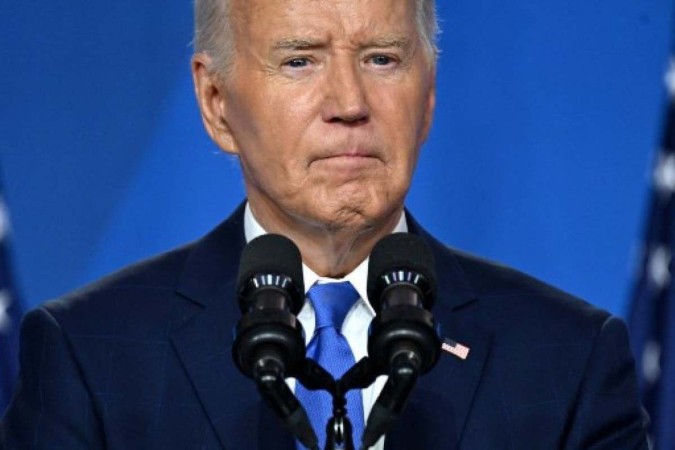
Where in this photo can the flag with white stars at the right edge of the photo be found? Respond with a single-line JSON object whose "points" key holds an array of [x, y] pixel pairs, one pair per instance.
{"points": [[652, 317]]}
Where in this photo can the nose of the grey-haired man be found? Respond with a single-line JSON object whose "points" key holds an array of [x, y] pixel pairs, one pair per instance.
{"points": [[346, 99]]}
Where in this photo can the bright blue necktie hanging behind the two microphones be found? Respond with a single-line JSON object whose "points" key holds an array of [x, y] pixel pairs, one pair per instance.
{"points": [[328, 347]]}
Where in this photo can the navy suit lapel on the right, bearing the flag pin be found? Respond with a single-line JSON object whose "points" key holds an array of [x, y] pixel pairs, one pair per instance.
{"points": [[439, 406]]}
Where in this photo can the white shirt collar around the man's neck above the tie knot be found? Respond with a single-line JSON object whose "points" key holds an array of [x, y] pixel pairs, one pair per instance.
{"points": [[358, 277]]}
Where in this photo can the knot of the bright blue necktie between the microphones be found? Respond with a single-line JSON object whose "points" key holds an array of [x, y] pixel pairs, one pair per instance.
{"points": [[332, 302]]}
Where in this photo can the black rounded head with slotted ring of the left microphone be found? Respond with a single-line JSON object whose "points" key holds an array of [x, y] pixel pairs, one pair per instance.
{"points": [[273, 255]]}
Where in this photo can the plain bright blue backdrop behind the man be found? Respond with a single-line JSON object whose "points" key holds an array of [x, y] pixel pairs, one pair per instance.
{"points": [[540, 156]]}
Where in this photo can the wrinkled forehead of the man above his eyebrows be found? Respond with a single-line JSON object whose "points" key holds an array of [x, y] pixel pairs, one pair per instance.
{"points": [[322, 19]]}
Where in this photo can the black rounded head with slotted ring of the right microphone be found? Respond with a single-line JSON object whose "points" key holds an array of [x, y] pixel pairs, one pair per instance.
{"points": [[401, 257]]}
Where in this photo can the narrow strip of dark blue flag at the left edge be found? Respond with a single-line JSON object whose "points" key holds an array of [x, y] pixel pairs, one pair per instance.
{"points": [[10, 313]]}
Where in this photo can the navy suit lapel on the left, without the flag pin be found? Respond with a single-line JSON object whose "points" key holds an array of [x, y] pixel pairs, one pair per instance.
{"points": [[203, 342]]}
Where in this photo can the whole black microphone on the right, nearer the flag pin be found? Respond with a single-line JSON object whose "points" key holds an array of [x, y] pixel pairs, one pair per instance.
{"points": [[403, 341]]}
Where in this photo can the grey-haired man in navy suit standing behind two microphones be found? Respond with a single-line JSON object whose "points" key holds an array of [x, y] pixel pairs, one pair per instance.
{"points": [[326, 104]]}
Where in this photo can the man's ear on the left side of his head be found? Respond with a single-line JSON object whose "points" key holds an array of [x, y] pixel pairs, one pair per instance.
{"points": [[210, 94]]}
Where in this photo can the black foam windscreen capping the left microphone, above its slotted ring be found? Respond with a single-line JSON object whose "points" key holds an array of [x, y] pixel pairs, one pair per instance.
{"points": [[271, 254]]}
